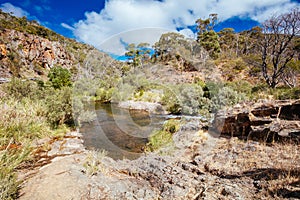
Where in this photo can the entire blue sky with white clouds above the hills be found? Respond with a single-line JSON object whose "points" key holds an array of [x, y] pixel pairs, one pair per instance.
{"points": [[95, 21]]}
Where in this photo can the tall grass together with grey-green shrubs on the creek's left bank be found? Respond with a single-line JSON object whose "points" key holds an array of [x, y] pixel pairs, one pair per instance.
{"points": [[27, 113]]}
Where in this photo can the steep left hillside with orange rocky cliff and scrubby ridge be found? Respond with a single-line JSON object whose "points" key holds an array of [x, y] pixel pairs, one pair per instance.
{"points": [[30, 50]]}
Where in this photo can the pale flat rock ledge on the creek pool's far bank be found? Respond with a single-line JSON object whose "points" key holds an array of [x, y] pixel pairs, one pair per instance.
{"points": [[154, 108]]}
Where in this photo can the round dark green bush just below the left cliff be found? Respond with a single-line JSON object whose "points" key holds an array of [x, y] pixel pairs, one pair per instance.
{"points": [[59, 77]]}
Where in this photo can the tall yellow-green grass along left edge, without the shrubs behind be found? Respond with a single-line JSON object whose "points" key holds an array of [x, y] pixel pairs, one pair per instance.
{"points": [[21, 122]]}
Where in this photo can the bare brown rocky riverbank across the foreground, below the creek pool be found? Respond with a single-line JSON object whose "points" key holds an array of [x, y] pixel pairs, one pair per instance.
{"points": [[196, 166]]}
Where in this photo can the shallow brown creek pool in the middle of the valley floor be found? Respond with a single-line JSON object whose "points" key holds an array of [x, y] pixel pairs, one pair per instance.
{"points": [[121, 132]]}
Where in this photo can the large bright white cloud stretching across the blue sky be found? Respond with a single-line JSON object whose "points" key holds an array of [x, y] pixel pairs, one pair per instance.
{"points": [[123, 15]]}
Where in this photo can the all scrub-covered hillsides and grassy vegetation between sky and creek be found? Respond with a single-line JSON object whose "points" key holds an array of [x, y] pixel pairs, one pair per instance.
{"points": [[185, 76]]}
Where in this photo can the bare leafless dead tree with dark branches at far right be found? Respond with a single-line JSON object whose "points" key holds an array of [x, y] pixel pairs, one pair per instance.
{"points": [[277, 45]]}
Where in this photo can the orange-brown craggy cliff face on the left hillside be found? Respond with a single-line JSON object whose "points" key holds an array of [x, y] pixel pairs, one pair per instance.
{"points": [[27, 54]]}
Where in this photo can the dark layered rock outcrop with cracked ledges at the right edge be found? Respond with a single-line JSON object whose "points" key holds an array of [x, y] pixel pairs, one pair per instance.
{"points": [[265, 120]]}
